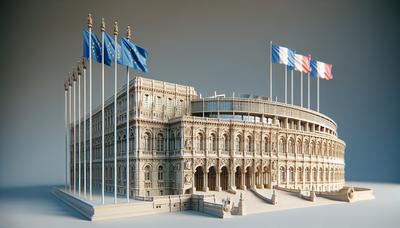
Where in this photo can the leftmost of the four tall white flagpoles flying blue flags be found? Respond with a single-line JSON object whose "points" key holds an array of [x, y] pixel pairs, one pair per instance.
{"points": [[90, 25]]}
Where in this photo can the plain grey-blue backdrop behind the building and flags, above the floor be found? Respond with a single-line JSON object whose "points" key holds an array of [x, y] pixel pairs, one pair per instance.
{"points": [[213, 46]]}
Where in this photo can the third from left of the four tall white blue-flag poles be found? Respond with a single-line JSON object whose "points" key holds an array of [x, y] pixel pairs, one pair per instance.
{"points": [[115, 108]]}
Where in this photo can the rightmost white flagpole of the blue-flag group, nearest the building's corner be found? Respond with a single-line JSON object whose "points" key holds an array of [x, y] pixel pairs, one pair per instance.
{"points": [[128, 36]]}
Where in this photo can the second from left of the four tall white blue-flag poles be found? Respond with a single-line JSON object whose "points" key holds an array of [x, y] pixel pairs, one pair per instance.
{"points": [[102, 29]]}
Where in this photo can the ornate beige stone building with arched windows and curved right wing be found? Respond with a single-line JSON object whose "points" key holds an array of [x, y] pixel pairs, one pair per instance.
{"points": [[180, 143]]}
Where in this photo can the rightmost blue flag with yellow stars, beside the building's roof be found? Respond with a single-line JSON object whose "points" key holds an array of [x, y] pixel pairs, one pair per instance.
{"points": [[136, 56]]}
